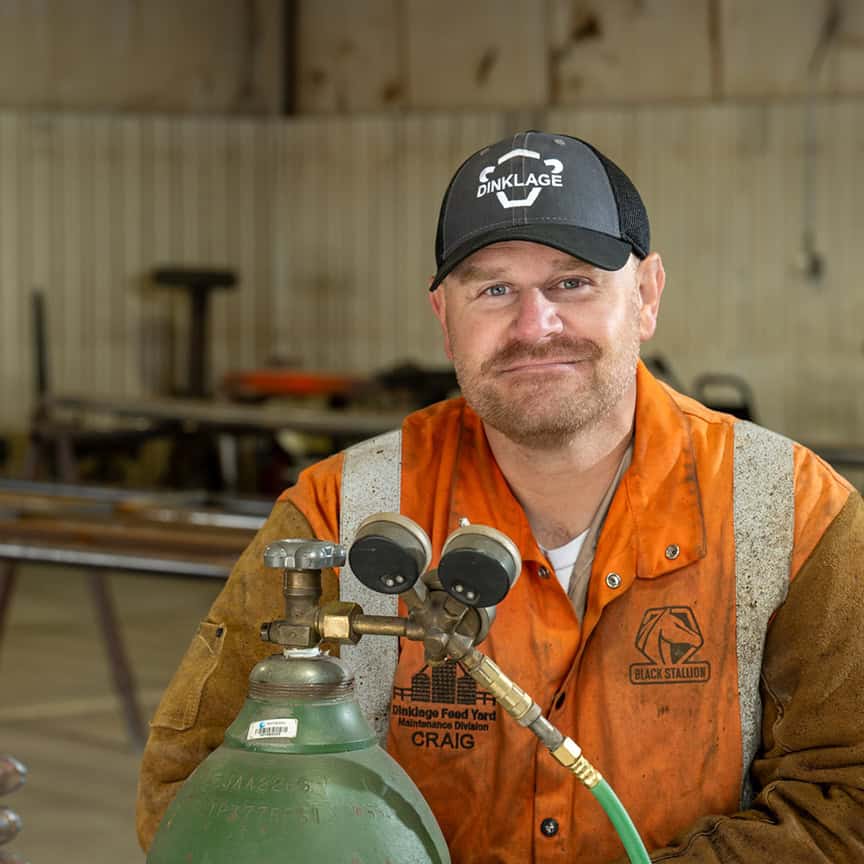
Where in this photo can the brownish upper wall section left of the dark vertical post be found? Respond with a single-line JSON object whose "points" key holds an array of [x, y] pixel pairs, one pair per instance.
{"points": [[196, 56]]}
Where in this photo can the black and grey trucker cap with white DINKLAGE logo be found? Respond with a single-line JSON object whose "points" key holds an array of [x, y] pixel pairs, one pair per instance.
{"points": [[550, 189]]}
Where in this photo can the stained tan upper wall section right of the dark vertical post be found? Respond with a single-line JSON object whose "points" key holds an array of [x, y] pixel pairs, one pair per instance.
{"points": [[413, 54]]}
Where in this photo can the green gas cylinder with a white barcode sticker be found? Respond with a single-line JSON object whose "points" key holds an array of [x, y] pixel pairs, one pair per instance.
{"points": [[300, 777]]}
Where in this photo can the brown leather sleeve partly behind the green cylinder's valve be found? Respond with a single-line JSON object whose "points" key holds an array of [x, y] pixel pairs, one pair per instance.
{"points": [[209, 687]]}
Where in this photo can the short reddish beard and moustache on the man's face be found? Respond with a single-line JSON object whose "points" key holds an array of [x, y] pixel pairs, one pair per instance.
{"points": [[545, 412]]}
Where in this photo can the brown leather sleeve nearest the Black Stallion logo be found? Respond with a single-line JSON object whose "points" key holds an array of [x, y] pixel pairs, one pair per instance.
{"points": [[810, 768]]}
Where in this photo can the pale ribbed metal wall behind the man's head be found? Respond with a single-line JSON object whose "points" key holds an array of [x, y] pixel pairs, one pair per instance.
{"points": [[330, 223]]}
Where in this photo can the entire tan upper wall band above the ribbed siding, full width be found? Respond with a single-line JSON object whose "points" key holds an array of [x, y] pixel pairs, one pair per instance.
{"points": [[382, 55]]}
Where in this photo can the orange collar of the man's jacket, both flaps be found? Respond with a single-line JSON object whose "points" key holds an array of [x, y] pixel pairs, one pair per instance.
{"points": [[657, 505]]}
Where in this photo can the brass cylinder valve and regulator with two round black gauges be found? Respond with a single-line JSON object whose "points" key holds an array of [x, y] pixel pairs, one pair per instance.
{"points": [[449, 609]]}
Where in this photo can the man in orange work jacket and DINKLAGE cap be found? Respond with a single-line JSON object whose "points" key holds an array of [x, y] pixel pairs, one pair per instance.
{"points": [[689, 605]]}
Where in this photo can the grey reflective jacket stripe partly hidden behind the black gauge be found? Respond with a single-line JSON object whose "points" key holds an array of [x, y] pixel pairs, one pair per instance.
{"points": [[371, 483]]}
